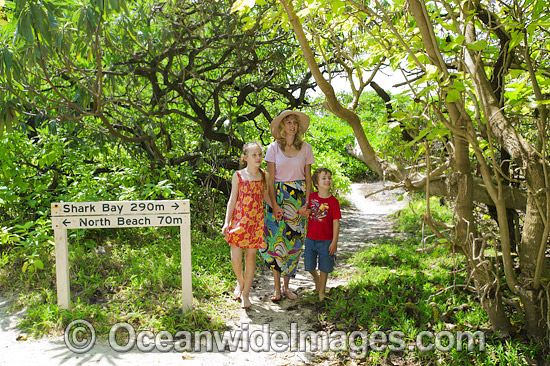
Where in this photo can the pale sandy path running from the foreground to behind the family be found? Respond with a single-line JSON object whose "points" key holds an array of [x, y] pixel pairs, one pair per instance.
{"points": [[364, 220]]}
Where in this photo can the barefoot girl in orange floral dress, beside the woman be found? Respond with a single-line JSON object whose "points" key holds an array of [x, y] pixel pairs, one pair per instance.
{"points": [[244, 219]]}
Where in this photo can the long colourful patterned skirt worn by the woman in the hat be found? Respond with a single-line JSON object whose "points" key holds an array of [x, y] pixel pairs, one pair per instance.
{"points": [[285, 238]]}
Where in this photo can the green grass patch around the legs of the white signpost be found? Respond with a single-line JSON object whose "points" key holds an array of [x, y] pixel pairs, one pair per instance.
{"points": [[133, 276]]}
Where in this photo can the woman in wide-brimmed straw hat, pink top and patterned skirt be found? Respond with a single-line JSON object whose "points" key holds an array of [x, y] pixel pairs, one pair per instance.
{"points": [[289, 161]]}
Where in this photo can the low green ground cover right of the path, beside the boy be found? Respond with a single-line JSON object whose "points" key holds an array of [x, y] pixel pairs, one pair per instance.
{"points": [[394, 288]]}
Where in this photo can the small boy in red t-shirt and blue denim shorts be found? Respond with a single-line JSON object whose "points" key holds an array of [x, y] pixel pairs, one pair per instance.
{"points": [[322, 230]]}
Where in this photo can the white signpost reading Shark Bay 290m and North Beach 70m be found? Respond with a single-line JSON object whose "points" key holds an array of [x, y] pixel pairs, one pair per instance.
{"points": [[119, 214]]}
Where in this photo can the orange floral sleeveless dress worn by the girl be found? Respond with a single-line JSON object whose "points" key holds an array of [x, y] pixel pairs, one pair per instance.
{"points": [[247, 225]]}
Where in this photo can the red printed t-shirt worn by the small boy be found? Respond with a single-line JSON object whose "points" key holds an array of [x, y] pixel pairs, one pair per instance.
{"points": [[323, 212]]}
